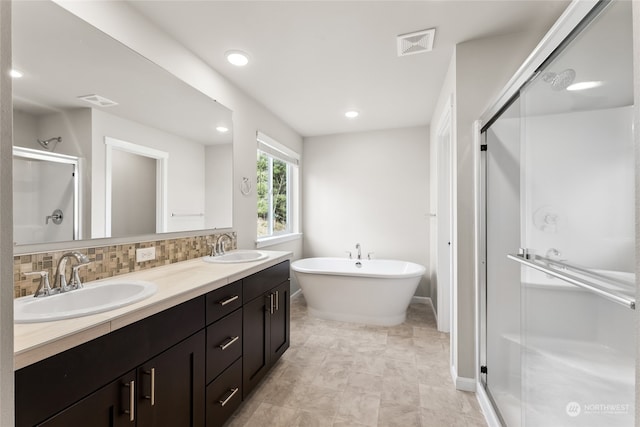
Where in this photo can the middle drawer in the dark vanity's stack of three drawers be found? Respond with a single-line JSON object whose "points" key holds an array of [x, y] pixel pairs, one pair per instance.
{"points": [[224, 343]]}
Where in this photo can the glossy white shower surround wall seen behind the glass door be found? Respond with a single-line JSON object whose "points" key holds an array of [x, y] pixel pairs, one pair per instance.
{"points": [[579, 169]]}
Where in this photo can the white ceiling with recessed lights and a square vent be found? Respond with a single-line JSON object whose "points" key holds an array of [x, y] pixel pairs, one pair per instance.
{"points": [[313, 60]]}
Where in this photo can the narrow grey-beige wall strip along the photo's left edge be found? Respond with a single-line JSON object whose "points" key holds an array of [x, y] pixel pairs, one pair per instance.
{"points": [[6, 221]]}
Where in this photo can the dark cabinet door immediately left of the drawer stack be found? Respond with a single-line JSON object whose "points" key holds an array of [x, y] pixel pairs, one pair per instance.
{"points": [[171, 391]]}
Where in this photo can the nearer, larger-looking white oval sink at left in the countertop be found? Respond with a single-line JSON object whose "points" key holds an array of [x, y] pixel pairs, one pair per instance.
{"points": [[91, 299]]}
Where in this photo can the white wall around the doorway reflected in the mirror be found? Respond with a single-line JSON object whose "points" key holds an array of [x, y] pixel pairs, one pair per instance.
{"points": [[185, 192]]}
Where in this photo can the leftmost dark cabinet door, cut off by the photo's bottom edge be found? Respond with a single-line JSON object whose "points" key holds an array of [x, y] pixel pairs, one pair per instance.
{"points": [[108, 407]]}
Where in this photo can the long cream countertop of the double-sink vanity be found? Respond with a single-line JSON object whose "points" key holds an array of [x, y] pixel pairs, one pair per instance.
{"points": [[176, 284]]}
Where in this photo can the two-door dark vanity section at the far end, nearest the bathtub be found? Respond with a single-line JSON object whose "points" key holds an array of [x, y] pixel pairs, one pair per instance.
{"points": [[265, 322]]}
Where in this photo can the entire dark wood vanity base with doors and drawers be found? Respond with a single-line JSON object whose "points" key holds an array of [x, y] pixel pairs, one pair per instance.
{"points": [[185, 366]]}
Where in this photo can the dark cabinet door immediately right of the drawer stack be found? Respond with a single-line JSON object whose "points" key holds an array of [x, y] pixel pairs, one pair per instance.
{"points": [[255, 333]]}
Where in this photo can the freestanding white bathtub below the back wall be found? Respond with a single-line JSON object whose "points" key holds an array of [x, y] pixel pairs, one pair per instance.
{"points": [[375, 292]]}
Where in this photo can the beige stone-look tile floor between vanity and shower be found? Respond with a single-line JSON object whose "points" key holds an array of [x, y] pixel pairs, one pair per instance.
{"points": [[339, 374]]}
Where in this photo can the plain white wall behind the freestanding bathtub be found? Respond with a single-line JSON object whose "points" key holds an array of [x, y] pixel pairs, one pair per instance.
{"points": [[370, 188]]}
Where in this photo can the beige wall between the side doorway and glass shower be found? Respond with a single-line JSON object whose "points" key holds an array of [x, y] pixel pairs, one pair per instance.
{"points": [[479, 70]]}
